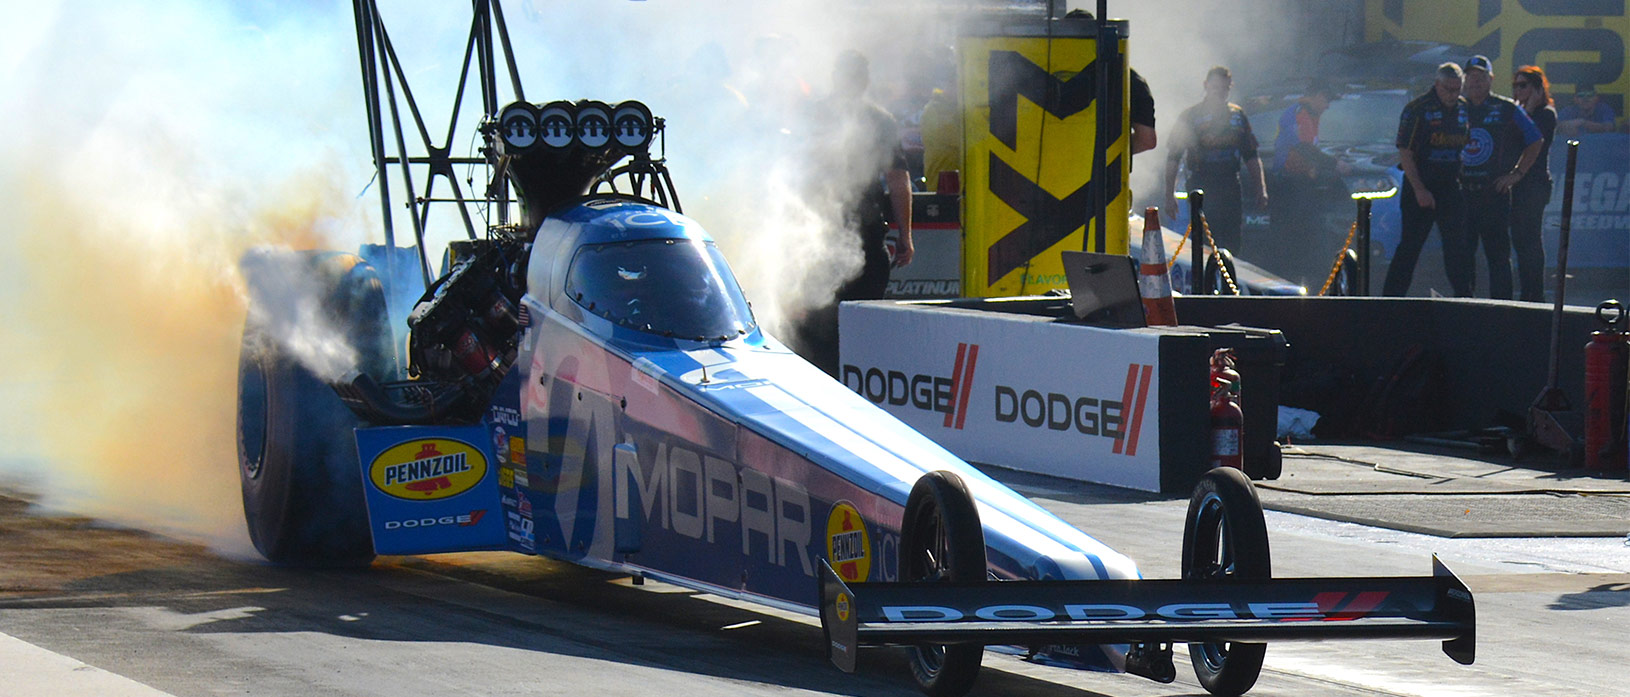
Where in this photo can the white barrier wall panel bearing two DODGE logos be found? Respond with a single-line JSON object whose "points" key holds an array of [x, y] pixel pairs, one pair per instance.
{"points": [[1013, 390]]}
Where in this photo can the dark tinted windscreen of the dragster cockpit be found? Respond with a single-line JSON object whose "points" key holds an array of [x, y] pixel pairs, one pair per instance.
{"points": [[671, 287]]}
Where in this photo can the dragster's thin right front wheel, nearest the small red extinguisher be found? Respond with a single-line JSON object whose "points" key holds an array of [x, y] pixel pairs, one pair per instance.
{"points": [[1227, 538]]}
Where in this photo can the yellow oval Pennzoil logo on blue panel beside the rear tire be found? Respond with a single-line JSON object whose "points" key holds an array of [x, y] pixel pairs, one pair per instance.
{"points": [[426, 470]]}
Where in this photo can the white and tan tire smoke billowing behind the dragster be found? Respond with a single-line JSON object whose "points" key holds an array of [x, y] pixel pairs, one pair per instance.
{"points": [[151, 146]]}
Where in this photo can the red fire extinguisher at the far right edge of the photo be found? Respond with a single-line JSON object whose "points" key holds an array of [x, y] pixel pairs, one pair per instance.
{"points": [[1605, 390]]}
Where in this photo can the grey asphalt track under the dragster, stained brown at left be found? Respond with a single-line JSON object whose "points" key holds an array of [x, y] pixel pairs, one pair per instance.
{"points": [[115, 613]]}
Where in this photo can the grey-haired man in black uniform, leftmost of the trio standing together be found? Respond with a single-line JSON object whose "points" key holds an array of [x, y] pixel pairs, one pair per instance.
{"points": [[1432, 136]]}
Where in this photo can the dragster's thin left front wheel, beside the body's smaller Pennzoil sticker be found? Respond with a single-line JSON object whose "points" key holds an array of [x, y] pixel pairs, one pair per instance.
{"points": [[941, 540]]}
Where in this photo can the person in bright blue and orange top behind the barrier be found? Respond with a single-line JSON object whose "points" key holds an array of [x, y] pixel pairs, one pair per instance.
{"points": [[1302, 180]]}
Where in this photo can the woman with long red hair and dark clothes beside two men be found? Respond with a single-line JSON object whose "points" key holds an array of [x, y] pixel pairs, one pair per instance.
{"points": [[1533, 193]]}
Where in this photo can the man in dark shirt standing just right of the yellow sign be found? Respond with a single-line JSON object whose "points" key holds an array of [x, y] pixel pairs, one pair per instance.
{"points": [[1215, 138]]}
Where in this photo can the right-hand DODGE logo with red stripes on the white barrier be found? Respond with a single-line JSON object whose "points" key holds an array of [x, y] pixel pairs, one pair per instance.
{"points": [[1121, 419]]}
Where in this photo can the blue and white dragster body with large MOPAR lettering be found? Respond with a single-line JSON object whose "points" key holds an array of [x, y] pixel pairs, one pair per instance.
{"points": [[726, 463]]}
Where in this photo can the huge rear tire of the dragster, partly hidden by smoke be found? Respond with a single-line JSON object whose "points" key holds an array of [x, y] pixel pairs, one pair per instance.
{"points": [[297, 450]]}
